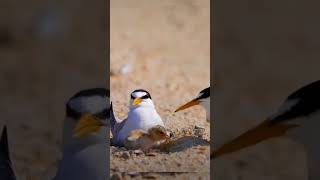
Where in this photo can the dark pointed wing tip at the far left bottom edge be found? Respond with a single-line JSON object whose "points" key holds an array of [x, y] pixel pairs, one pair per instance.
{"points": [[6, 170]]}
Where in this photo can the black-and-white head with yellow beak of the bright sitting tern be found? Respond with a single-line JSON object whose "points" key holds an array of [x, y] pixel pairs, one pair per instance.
{"points": [[140, 98]]}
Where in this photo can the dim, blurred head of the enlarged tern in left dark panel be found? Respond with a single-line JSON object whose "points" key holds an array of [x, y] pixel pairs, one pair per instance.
{"points": [[87, 112]]}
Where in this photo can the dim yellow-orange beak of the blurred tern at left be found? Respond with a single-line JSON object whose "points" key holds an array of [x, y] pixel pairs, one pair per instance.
{"points": [[86, 125]]}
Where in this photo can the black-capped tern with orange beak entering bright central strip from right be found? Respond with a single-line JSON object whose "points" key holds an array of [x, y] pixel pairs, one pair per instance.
{"points": [[202, 99]]}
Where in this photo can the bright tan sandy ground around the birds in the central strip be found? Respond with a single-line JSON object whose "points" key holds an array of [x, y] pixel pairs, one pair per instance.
{"points": [[163, 47]]}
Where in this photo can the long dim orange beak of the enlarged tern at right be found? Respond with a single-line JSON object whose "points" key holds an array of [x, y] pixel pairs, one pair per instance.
{"points": [[262, 132]]}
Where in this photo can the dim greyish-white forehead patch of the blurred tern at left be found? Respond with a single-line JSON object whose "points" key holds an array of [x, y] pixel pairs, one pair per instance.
{"points": [[93, 104]]}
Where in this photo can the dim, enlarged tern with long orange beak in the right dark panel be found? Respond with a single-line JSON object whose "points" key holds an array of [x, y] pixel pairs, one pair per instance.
{"points": [[298, 118]]}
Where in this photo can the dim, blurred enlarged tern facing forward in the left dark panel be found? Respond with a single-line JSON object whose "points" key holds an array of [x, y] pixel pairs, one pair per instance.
{"points": [[85, 137]]}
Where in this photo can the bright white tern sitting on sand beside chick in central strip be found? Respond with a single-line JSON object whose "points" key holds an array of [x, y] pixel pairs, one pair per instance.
{"points": [[142, 115]]}
